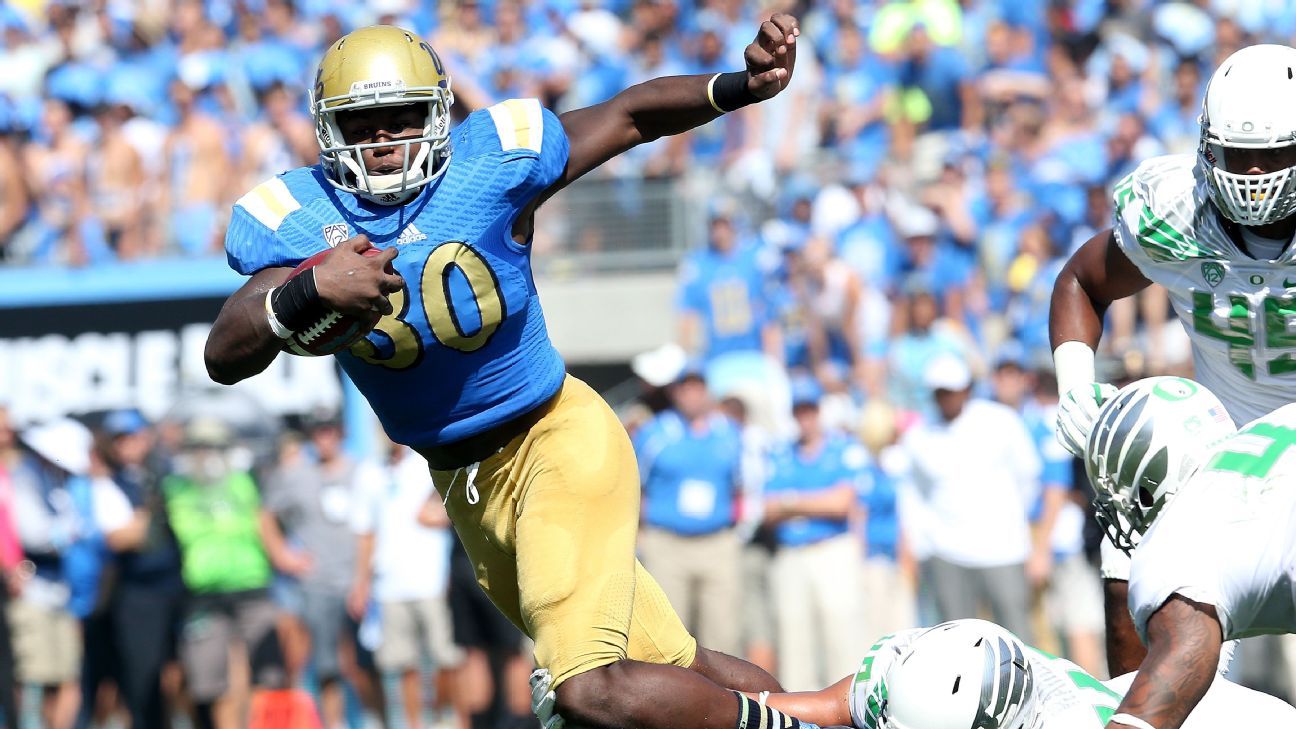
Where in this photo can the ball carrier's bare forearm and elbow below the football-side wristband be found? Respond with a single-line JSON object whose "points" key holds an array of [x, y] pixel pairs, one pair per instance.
{"points": [[242, 343]]}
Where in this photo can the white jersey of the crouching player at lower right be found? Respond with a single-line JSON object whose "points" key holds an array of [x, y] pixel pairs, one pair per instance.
{"points": [[1229, 536]]}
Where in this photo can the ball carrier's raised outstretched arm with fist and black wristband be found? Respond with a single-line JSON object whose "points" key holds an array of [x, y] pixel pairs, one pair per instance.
{"points": [[671, 106]]}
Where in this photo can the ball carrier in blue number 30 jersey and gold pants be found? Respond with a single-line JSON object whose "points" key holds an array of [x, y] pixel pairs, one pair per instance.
{"points": [[538, 474]]}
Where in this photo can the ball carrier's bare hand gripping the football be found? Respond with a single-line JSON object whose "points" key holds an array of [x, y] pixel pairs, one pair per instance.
{"points": [[357, 285]]}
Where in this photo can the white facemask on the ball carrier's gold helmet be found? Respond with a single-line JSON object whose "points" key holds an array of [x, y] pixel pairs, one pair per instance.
{"points": [[345, 163]]}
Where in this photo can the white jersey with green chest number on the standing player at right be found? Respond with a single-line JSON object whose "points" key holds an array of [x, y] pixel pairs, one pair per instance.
{"points": [[1240, 312]]}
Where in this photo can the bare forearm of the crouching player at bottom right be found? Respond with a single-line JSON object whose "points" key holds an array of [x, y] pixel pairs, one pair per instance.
{"points": [[1184, 653]]}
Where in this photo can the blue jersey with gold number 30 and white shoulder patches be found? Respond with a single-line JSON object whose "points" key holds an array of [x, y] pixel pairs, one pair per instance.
{"points": [[466, 348]]}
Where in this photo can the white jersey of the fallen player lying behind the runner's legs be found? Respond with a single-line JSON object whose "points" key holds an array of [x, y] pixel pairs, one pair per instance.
{"points": [[1067, 697]]}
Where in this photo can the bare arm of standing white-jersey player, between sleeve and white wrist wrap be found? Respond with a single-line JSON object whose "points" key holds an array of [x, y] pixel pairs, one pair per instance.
{"points": [[1096, 277]]}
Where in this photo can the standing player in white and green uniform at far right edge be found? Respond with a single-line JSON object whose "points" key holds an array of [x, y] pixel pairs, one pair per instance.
{"points": [[1215, 230]]}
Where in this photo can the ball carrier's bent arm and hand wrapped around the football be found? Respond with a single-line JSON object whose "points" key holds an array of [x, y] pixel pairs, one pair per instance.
{"points": [[244, 342]]}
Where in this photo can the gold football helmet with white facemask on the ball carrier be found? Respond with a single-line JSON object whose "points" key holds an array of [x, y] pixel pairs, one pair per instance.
{"points": [[382, 67]]}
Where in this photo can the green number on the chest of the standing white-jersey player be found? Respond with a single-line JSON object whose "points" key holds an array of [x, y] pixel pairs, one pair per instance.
{"points": [[1240, 329]]}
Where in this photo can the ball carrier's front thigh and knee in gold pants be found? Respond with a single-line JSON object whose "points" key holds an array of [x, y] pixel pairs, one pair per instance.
{"points": [[576, 527]]}
